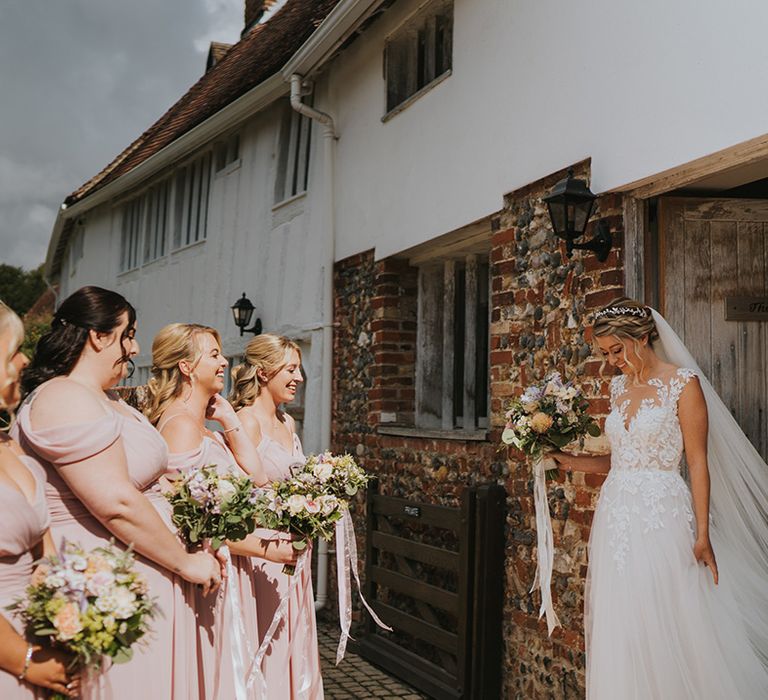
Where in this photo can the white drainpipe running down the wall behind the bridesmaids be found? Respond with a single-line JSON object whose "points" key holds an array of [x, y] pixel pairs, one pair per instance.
{"points": [[329, 225]]}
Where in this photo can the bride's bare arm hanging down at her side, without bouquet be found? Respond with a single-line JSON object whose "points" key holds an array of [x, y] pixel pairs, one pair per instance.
{"points": [[694, 423]]}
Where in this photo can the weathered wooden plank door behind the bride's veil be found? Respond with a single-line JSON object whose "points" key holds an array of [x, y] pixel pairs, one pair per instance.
{"points": [[712, 249]]}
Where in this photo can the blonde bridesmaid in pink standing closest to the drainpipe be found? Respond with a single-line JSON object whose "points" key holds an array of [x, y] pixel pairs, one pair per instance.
{"points": [[269, 377]]}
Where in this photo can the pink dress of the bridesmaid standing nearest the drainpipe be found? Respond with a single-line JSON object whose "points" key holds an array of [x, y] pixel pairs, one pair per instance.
{"points": [[292, 663]]}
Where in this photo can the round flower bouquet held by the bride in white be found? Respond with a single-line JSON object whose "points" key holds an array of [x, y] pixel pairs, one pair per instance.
{"points": [[548, 416]]}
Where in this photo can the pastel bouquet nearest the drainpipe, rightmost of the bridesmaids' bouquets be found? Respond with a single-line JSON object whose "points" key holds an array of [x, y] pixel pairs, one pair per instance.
{"points": [[309, 504]]}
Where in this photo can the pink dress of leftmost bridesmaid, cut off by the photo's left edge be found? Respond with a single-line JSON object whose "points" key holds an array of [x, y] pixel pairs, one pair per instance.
{"points": [[22, 525]]}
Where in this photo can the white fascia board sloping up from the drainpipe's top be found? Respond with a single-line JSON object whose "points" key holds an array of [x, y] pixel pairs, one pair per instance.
{"points": [[333, 31]]}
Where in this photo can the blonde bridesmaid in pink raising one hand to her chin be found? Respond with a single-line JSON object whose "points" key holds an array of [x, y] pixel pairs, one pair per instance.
{"points": [[188, 374]]}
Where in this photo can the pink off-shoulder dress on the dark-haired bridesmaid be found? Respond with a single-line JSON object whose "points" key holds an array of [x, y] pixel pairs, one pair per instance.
{"points": [[167, 661]]}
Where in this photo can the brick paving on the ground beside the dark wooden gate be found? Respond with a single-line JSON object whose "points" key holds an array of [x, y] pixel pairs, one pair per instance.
{"points": [[354, 677]]}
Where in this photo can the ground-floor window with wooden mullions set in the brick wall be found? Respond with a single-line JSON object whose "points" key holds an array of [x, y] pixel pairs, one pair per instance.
{"points": [[452, 348]]}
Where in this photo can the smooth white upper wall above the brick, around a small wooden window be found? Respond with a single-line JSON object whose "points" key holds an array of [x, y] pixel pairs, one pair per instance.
{"points": [[639, 87]]}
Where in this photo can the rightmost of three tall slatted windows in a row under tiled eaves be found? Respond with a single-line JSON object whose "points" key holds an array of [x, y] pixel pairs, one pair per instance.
{"points": [[193, 187]]}
